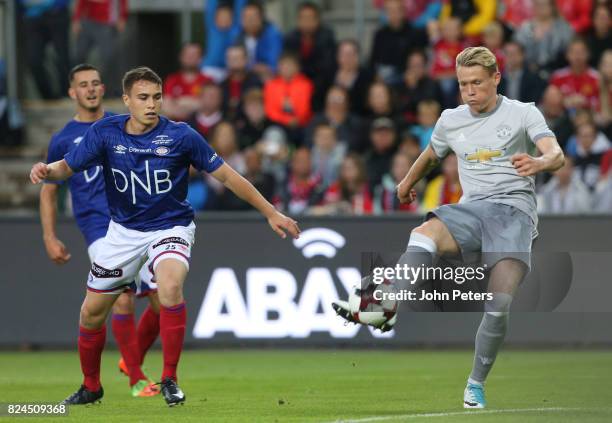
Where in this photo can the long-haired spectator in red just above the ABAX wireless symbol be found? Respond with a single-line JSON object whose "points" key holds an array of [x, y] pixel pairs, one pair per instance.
{"points": [[350, 194]]}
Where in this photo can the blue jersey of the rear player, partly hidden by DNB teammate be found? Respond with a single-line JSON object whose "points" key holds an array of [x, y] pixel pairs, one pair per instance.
{"points": [[86, 187]]}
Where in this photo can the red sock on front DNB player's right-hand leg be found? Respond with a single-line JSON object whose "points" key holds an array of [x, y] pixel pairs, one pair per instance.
{"points": [[172, 322]]}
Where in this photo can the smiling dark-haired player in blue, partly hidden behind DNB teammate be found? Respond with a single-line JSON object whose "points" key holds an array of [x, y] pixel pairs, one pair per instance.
{"points": [[92, 217]]}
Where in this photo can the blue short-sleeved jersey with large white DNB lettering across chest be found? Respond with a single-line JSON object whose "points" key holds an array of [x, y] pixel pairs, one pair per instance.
{"points": [[146, 175]]}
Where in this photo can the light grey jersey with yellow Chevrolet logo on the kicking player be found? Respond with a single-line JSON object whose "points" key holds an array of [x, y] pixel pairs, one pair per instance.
{"points": [[484, 144]]}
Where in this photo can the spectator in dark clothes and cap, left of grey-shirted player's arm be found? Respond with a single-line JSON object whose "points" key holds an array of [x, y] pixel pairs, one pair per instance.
{"points": [[382, 149]]}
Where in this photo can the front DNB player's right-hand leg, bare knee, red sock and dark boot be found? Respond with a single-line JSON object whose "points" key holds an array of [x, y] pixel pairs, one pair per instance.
{"points": [[170, 274]]}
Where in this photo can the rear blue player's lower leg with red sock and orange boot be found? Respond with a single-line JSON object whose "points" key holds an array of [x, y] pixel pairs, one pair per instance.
{"points": [[124, 330]]}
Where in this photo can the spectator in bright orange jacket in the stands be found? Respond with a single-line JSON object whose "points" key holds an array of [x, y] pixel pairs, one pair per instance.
{"points": [[287, 97]]}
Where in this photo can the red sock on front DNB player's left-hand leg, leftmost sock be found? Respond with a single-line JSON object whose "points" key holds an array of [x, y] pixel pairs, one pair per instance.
{"points": [[91, 343]]}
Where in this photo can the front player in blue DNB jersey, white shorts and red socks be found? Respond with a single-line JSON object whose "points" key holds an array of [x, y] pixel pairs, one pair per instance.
{"points": [[146, 160]]}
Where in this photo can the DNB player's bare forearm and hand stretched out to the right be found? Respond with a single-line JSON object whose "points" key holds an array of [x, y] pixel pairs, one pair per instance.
{"points": [[246, 191]]}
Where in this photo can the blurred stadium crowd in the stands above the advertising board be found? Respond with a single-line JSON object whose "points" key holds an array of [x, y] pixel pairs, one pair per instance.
{"points": [[321, 127]]}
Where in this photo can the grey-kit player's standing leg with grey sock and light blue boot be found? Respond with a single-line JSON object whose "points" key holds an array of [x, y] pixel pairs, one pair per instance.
{"points": [[504, 280]]}
